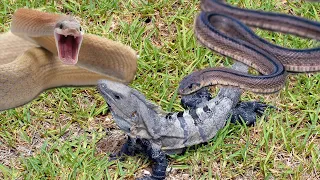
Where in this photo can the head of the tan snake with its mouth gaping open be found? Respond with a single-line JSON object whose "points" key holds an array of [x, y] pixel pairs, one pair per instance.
{"points": [[68, 36]]}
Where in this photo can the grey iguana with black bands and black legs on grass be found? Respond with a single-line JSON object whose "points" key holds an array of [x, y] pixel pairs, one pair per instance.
{"points": [[156, 133]]}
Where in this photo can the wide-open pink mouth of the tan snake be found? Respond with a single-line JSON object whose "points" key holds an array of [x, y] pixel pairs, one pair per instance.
{"points": [[68, 47]]}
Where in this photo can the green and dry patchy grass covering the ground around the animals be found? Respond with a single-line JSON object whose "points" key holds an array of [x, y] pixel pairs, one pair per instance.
{"points": [[64, 134]]}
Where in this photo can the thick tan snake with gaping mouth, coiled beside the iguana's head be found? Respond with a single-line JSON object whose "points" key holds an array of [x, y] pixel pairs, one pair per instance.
{"points": [[27, 69]]}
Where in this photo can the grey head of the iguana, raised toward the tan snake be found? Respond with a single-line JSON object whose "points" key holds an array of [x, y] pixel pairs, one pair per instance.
{"points": [[129, 108]]}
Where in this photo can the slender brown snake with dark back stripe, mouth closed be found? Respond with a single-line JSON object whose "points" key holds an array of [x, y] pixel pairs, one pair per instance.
{"points": [[219, 28]]}
